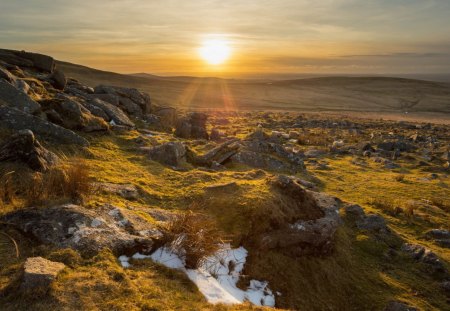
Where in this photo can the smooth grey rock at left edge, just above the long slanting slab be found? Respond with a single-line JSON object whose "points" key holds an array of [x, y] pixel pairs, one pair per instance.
{"points": [[13, 97]]}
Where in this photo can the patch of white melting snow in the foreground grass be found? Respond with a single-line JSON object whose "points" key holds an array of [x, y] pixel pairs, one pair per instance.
{"points": [[217, 276]]}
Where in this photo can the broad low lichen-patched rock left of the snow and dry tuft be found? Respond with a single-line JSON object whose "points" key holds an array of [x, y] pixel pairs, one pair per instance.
{"points": [[85, 230]]}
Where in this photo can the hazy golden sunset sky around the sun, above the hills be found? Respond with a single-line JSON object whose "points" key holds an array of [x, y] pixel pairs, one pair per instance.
{"points": [[277, 36]]}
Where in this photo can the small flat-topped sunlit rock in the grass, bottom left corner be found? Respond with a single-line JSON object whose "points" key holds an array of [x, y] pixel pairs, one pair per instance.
{"points": [[38, 274]]}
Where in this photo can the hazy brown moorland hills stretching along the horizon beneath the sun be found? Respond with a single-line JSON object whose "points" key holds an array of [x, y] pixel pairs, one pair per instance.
{"points": [[357, 94]]}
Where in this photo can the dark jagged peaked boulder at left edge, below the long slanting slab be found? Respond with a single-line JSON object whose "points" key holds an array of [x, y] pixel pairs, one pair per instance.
{"points": [[25, 148]]}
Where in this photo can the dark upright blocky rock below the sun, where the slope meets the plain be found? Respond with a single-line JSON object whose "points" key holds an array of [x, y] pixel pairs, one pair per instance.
{"points": [[192, 126]]}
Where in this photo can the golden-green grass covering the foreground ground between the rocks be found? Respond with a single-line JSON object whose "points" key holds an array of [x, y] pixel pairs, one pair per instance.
{"points": [[358, 276]]}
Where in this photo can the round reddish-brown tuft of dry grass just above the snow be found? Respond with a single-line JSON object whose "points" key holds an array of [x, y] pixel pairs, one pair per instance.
{"points": [[194, 235]]}
